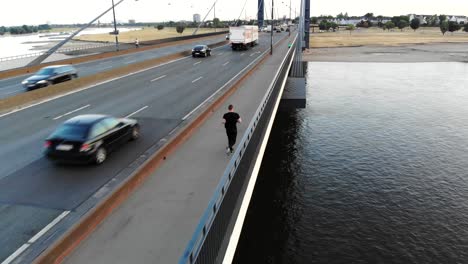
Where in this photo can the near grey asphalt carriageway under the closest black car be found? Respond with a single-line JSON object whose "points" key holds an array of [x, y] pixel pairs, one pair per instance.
{"points": [[33, 192]]}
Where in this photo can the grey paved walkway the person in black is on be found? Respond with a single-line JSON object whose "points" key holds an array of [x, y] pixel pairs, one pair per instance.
{"points": [[155, 224]]}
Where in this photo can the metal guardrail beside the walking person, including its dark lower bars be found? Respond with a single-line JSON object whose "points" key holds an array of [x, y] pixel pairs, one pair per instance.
{"points": [[202, 235]]}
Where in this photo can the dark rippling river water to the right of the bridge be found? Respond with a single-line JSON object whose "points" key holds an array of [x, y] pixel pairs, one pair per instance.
{"points": [[374, 170]]}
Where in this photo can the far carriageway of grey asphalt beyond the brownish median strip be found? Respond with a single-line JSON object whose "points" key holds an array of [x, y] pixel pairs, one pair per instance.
{"points": [[12, 86]]}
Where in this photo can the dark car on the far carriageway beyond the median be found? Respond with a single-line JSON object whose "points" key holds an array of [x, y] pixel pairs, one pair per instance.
{"points": [[50, 75]]}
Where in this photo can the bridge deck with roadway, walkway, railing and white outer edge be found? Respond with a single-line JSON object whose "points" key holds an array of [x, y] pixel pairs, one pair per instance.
{"points": [[173, 195]]}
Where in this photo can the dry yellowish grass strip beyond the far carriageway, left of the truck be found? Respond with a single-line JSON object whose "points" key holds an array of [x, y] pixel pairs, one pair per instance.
{"points": [[145, 34]]}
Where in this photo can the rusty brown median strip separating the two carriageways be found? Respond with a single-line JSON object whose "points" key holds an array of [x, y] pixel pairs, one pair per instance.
{"points": [[25, 99]]}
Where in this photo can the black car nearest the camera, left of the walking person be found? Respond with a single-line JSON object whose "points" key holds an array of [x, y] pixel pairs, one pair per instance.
{"points": [[89, 138]]}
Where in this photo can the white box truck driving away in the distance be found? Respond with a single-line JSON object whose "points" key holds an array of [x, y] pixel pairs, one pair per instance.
{"points": [[243, 37]]}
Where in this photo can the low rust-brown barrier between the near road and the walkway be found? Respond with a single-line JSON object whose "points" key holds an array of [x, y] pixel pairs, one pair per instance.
{"points": [[73, 237]]}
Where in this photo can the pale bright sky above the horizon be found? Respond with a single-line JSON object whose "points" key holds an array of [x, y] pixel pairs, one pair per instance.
{"points": [[34, 12]]}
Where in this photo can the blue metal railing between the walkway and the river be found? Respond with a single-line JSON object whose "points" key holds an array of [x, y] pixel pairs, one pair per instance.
{"points": [[195, 244]]}
